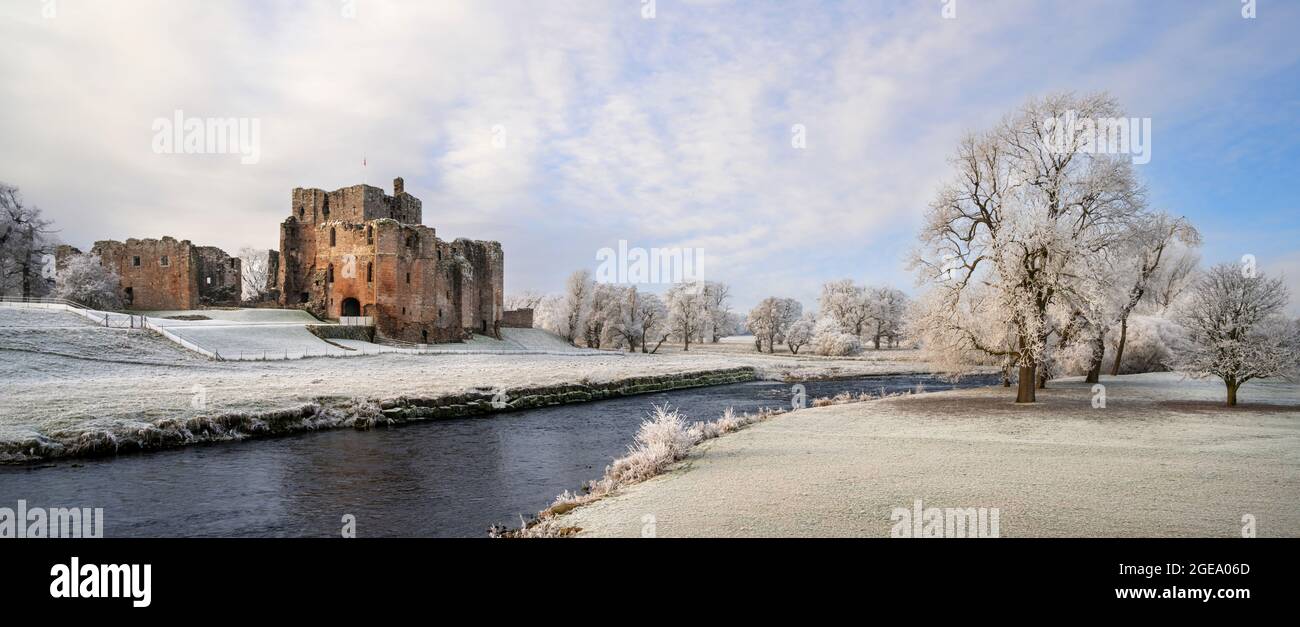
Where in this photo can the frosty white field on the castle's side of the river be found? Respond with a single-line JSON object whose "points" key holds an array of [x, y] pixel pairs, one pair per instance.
{"points": [[59, 373]]}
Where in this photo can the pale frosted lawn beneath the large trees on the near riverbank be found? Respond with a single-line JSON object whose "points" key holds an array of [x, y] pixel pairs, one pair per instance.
{"points": [[1164, 459]]}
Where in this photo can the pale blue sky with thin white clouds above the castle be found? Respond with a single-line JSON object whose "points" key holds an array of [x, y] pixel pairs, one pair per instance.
{"points": [[562, 128]]}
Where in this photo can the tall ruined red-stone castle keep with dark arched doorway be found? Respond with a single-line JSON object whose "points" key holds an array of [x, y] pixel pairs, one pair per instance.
{"points": [[359, 253]]}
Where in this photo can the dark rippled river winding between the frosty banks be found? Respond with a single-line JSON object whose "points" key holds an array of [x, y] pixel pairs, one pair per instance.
{"points": [[448, 478]]}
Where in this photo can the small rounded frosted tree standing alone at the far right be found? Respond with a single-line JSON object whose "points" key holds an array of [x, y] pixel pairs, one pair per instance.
{"points": [[1237, 330]]}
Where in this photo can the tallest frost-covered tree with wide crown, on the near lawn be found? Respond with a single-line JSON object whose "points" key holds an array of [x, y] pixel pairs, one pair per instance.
{"points": [[1003, 241]]}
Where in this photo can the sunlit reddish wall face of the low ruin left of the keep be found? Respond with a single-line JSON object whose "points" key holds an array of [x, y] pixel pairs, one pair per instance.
{"points": [[157, 274]]}
